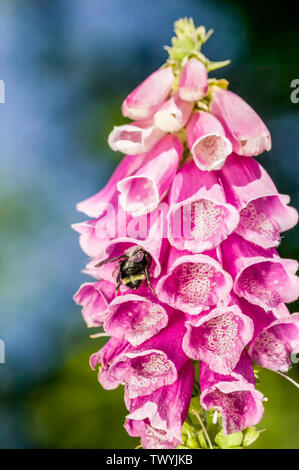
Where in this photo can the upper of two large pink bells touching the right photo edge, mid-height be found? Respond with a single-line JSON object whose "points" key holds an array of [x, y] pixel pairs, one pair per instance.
{"points": [[264, 213]]}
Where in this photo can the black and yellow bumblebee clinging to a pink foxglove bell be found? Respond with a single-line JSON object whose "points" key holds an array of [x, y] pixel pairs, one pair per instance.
{"points": [[133, 267]]}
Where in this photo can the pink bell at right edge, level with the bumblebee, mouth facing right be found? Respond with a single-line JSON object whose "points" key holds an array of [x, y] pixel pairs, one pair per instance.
{"points": [[260, 276]]}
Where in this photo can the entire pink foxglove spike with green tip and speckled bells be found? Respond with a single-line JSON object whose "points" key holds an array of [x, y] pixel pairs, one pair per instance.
{"points": [[182, 243]]}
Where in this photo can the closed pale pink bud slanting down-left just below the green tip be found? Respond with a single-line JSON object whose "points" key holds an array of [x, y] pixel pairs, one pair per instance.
{"points": [[149, 95]]}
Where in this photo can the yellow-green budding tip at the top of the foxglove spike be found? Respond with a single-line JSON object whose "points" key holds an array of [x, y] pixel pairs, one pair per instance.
{"points": [[187, 43]]}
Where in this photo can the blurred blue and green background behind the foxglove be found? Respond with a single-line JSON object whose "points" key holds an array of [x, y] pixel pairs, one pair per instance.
{"points": [[67, 65]]}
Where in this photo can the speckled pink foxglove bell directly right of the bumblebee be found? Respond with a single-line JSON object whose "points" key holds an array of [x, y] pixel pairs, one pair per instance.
{"points": [[193, 282]]}
